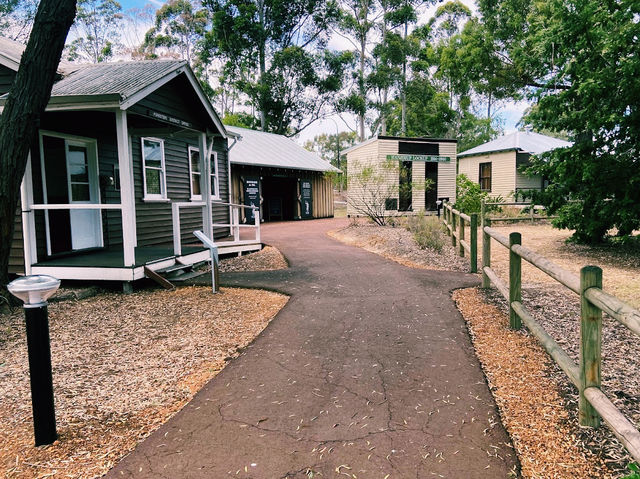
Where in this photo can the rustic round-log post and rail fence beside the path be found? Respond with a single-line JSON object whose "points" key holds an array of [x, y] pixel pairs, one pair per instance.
{"points": [[593, 405]]}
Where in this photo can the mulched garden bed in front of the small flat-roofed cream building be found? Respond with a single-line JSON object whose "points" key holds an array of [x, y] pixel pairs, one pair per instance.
{"points": [[398, 244]]}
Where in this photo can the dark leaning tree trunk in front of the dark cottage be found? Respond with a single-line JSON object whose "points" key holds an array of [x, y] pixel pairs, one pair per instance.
{"points": [[25, 104]]}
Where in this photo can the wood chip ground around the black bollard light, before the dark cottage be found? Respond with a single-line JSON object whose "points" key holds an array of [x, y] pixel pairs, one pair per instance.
{"points": [[122, 366]]}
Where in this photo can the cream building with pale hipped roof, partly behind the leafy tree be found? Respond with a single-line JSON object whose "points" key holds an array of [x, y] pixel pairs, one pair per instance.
{"points": [[498, 164]]}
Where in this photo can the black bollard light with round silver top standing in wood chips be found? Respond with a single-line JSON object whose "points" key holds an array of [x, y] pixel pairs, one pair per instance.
{"points": [[34, 291]]}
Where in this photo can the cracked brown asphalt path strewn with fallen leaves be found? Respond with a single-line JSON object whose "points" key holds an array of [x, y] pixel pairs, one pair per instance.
{"points": [[368, 372]]}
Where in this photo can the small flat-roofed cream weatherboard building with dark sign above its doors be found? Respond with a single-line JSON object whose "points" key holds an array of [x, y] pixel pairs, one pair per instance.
{"points": [[401, 164]]}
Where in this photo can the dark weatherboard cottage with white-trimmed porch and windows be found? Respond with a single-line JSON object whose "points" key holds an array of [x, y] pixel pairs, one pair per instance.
{"points": [[130, 159]]}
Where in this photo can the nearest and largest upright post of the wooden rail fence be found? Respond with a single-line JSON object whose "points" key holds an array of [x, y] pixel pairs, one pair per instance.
{"points": [[590, 344]]}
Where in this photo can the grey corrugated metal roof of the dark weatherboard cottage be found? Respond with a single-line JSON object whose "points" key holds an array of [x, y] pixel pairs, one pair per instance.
{"points": [[122, 78]]}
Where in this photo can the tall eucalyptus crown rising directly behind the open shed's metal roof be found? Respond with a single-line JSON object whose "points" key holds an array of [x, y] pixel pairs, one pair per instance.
{"points": [[273, 51]]}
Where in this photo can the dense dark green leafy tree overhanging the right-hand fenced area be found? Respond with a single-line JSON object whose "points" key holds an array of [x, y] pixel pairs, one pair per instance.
{"points": [[584, 76]]}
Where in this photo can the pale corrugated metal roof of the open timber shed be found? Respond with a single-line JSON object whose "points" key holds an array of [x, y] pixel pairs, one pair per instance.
{"points": [[258, 148]]}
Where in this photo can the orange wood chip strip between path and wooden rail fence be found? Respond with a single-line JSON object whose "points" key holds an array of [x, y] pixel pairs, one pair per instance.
{"points": [[531, 394]]}
